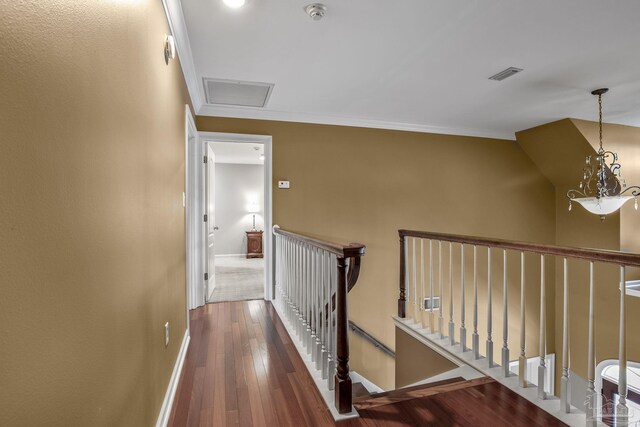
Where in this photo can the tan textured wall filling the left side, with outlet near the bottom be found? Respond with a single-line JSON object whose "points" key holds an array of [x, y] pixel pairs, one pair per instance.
{"points": [[91, 220]]}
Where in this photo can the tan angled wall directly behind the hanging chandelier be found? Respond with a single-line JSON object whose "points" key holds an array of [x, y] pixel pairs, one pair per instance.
{"points": [[560, 148]]}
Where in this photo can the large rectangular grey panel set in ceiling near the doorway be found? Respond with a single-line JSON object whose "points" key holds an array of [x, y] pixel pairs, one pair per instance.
{"points": [[236, 93]]}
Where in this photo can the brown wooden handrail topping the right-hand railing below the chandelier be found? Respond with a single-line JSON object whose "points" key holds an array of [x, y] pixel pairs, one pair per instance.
{"points": [[596, 255]]}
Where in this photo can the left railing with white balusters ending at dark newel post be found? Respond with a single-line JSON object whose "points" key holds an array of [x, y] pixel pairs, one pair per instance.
{"points": [[312, 279]]}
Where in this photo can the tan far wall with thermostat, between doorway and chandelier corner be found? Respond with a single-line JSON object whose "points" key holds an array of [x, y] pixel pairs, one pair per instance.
{"points": [[362, 185]]}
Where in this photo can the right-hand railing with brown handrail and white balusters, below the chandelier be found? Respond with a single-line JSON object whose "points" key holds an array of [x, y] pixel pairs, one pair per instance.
{"points": [[417, 295]]}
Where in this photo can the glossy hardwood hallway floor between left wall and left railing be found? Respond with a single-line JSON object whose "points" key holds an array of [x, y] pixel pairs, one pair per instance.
{"points": [[242, 368]]}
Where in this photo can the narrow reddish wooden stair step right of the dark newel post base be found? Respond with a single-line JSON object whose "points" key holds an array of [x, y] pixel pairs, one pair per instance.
{"points": [[409, 393]]}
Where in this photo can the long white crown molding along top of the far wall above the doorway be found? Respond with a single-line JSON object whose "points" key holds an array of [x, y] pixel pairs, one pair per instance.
{"points": [[260, 114]]}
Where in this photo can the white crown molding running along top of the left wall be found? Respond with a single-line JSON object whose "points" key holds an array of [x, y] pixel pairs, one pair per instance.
{"points": [[178, 27]]}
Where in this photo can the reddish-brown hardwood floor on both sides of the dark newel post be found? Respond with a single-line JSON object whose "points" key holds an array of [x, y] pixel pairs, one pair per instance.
{"points": [[242, 369]]}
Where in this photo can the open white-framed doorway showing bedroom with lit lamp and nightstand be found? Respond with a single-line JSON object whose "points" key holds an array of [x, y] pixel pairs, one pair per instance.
{"points": [[237, 201]]}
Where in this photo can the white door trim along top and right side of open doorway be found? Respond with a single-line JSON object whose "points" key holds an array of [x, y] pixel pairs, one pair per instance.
{"points": [[266, 141]]}
